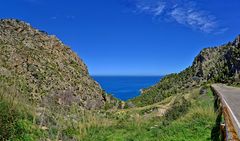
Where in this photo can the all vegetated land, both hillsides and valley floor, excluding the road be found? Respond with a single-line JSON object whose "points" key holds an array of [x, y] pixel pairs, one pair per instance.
{"points": [[50, 95]]}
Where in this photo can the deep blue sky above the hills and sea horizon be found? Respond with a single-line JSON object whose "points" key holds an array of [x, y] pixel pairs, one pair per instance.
{"points": [[132, 37]]}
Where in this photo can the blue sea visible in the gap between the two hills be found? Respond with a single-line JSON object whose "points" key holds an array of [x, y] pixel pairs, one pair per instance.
{"points": [[126, 87]]}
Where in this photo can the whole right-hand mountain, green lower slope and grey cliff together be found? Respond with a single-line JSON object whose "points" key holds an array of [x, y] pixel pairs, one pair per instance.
{"points": [[212, 65]]}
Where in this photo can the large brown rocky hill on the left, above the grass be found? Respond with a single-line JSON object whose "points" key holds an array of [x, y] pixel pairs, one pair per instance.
{"points": [[43, 69]]}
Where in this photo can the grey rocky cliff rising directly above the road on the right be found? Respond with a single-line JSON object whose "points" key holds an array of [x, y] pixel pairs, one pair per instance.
{"points": [[219, 64]]}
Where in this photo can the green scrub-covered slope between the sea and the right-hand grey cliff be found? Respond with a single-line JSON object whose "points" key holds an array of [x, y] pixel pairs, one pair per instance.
{"points": [[168, 86]]}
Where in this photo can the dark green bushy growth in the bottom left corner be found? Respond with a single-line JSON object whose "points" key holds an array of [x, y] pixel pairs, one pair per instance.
{"points": [[17, 121]]}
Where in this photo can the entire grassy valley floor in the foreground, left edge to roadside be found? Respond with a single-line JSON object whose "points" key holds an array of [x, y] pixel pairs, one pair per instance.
{"points": [[188, 117]]}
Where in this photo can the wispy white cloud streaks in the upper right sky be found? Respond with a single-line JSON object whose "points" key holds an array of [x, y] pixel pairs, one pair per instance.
{"points": [[184, 12]]}
